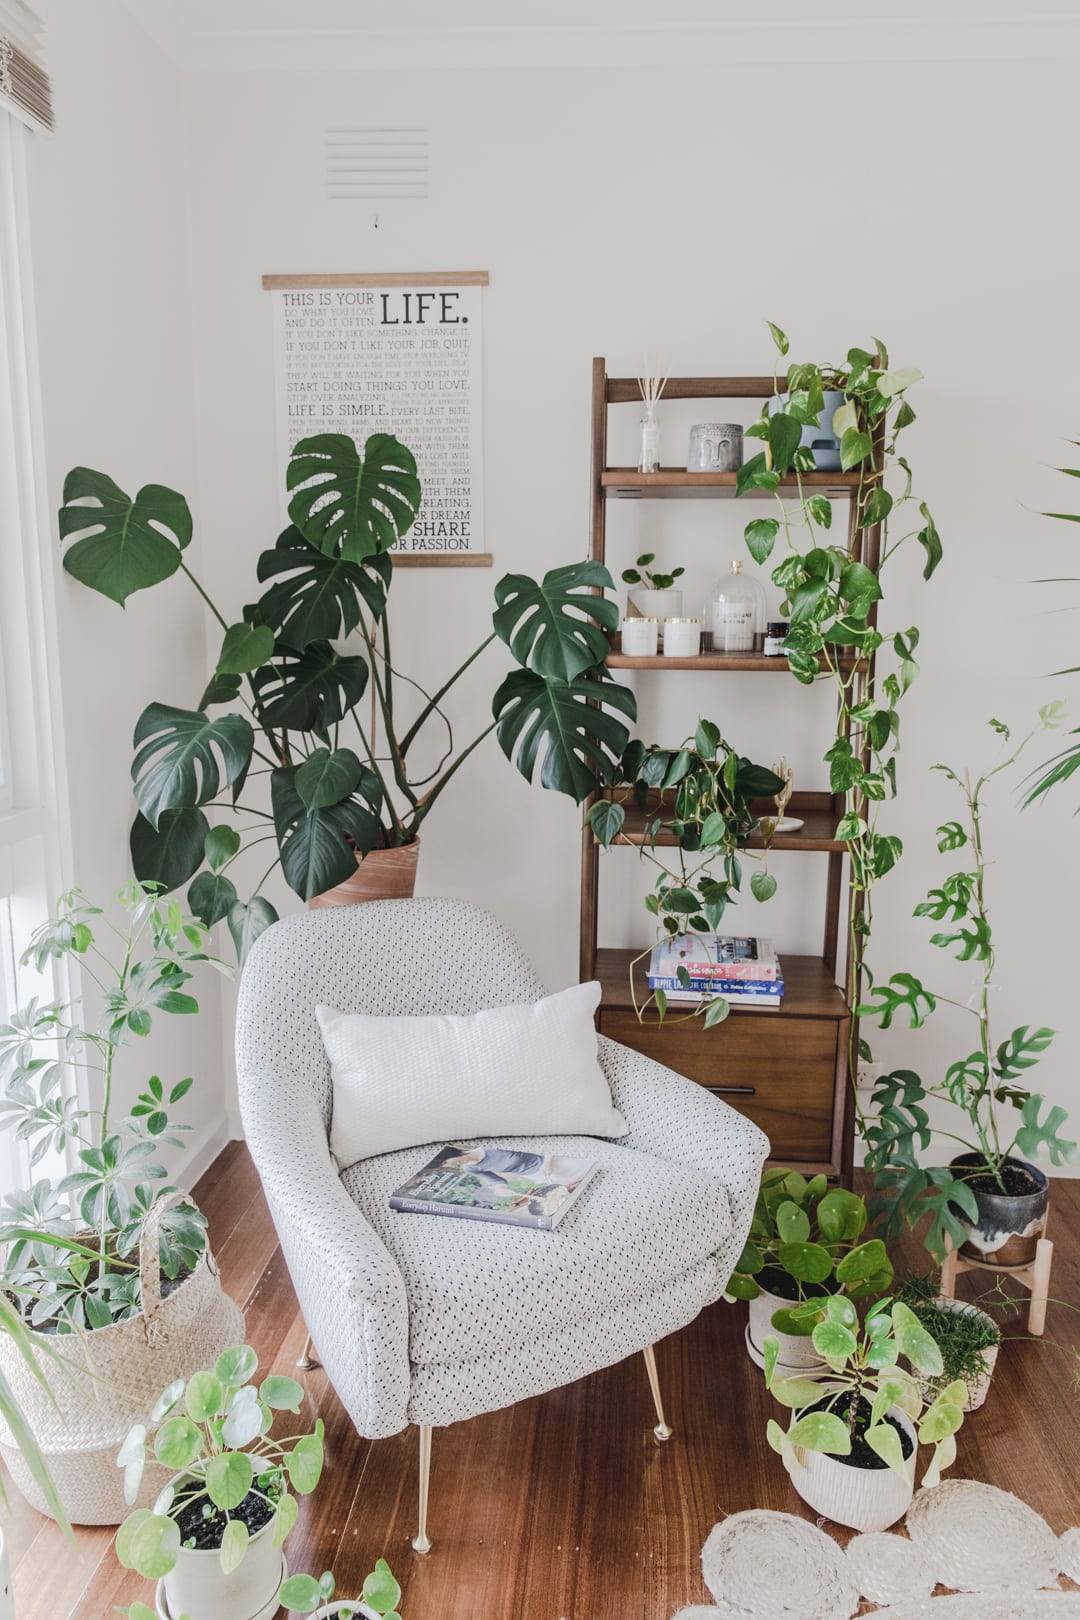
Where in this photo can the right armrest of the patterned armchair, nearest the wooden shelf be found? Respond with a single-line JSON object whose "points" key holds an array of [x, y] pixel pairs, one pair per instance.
{"points": [[676, 1119]]}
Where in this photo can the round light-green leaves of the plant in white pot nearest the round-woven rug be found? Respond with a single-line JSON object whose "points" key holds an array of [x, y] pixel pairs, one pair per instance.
{"points": [[864, 1383]]}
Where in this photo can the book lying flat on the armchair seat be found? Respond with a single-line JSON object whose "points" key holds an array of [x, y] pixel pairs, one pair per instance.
{"points": [[496, 1183]]}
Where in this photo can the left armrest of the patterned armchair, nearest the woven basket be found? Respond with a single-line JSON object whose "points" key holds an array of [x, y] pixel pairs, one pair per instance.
{"points": [[349, 1285]]}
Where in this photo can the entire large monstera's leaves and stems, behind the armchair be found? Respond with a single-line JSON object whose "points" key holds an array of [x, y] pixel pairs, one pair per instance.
{"points": [[284, 699]]}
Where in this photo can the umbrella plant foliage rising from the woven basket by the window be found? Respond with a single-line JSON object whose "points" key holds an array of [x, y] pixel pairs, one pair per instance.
{"points": [[69, 1274]]}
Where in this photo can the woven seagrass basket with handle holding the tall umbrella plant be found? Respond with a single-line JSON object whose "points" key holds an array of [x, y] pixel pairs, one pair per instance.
{"points": [[109, 1381]]}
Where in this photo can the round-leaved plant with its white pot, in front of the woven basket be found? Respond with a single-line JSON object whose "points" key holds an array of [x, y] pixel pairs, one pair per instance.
{"points": [[215, 1535]]}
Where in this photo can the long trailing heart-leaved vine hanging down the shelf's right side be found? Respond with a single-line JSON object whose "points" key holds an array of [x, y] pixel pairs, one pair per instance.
{"points": [[833, 595]]}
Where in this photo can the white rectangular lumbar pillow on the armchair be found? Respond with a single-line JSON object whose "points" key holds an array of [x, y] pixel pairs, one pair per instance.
{"points": [[407, 1081]]}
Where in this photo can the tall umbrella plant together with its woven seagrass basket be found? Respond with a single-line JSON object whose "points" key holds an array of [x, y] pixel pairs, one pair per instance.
{"points": [[124, 1292]]}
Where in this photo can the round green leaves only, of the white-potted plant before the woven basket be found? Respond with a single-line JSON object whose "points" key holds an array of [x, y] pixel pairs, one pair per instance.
{"points": [[215, 1435]]}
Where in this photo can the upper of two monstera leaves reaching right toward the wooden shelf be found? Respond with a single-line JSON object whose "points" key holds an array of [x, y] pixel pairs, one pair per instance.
{"points": [[556, 628]]}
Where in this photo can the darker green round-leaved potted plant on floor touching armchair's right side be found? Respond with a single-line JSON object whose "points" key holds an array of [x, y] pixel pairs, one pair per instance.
{"points": [[806, 1245]]}
